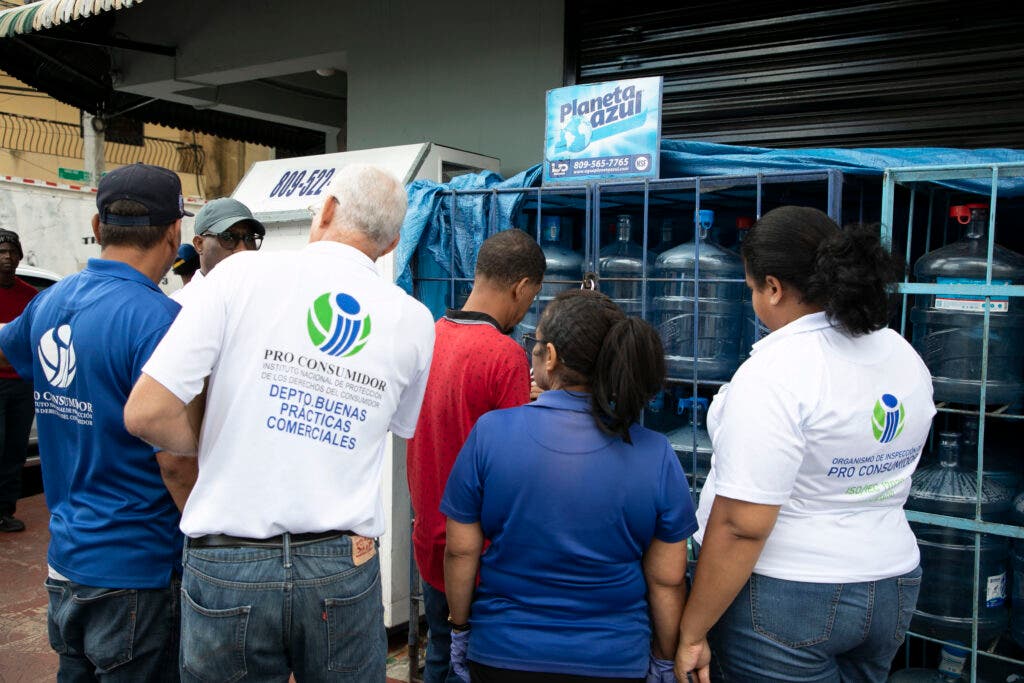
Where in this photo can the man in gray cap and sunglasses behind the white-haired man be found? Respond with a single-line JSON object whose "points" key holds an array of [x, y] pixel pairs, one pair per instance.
{"points": [[224, 227]]}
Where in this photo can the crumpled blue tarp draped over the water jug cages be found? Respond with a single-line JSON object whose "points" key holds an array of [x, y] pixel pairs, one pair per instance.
{"points": [[430, 225]]}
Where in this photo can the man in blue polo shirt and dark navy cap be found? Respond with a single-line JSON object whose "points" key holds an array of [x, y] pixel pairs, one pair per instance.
{"points": [[115, 546]]}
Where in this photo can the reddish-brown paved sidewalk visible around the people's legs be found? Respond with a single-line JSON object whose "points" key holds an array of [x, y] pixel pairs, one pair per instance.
{"points": [[25, 650]]}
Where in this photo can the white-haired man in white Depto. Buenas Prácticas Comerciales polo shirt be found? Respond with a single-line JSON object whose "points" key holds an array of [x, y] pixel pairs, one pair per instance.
{"points": [[312, 358]]}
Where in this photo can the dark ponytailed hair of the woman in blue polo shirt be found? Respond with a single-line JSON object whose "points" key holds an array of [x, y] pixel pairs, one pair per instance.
{"points": [[620, 358]]}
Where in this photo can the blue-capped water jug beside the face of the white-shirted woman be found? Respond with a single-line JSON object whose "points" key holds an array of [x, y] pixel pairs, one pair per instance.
{"points": [[698, 307]]}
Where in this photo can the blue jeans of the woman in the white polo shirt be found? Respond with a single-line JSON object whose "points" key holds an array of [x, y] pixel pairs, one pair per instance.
{"points": [[780, 630]]}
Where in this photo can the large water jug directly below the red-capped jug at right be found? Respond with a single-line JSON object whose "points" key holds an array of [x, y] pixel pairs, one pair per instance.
{"points": [[949, 593]]}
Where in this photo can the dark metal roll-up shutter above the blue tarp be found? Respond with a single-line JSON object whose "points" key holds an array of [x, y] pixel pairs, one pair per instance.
{"points": [[907, 73]]}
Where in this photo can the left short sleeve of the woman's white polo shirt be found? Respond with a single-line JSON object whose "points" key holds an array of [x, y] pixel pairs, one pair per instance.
{"points": [[756, 432]]}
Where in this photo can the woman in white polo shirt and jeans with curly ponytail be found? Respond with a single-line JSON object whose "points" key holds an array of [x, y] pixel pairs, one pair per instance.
{"points": [[807, 569]]}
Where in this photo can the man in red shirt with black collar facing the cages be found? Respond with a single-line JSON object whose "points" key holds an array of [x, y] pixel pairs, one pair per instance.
{"points": [[477, 368]]}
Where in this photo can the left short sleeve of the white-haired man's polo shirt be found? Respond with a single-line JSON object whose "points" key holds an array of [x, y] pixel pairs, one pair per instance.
{"points": [[191, 349]]}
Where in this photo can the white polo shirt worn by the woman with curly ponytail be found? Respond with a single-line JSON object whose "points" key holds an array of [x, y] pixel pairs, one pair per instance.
{"points": [[831, 429]]}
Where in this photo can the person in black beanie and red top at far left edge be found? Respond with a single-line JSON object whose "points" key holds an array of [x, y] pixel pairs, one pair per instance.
{"points": [[17, 404]]}
